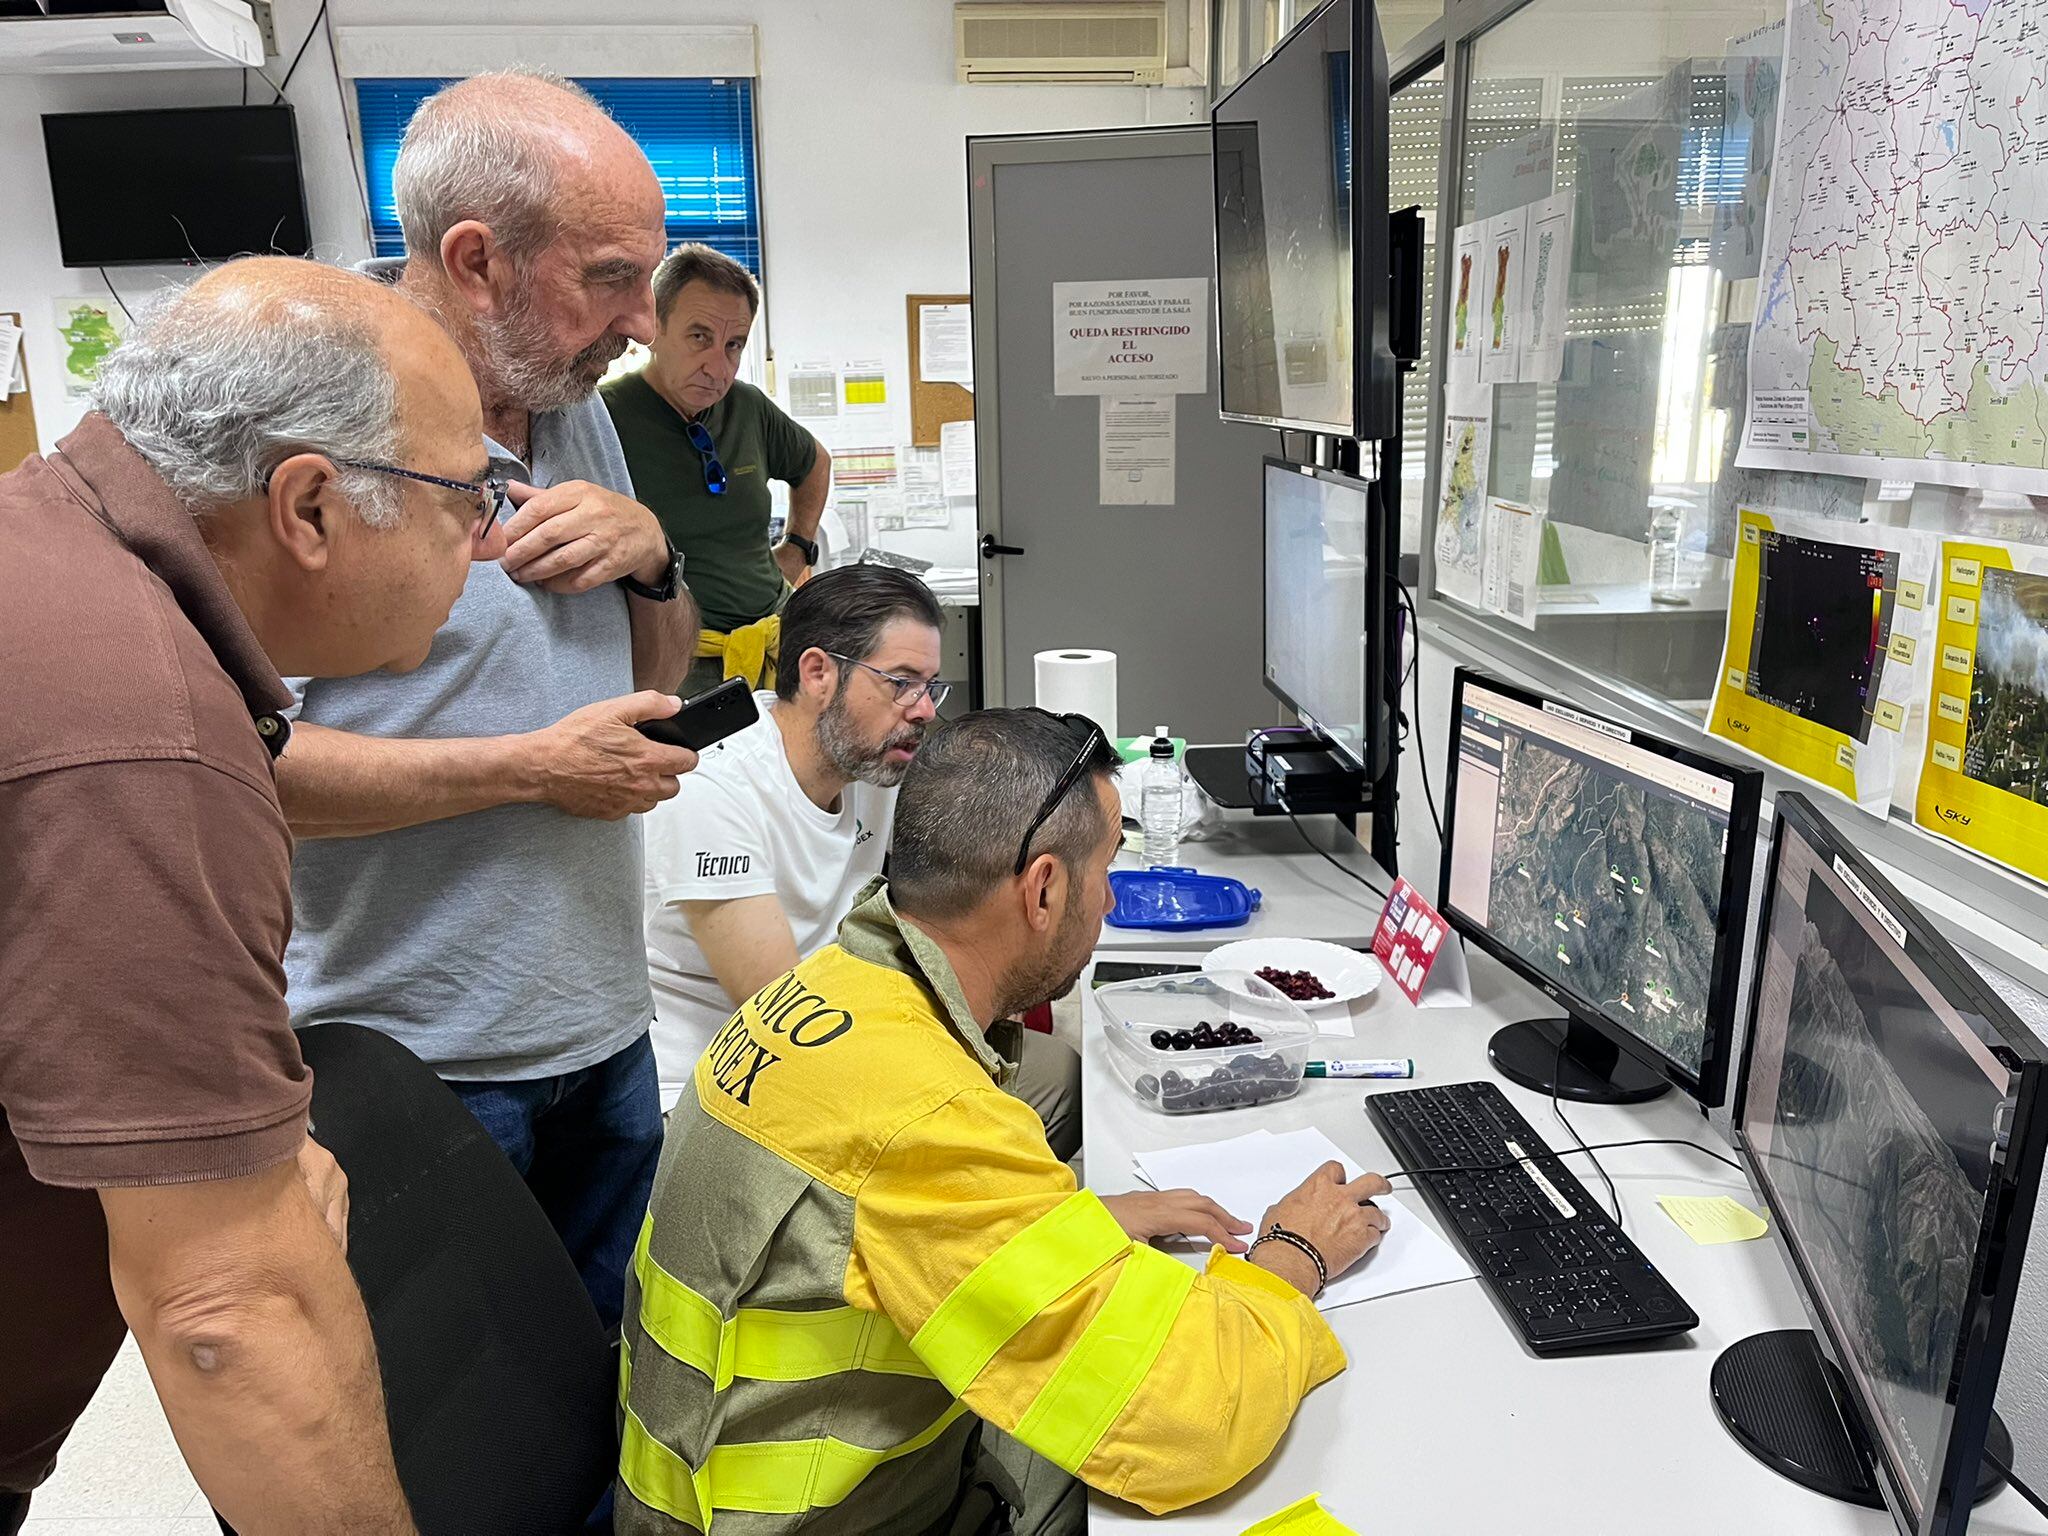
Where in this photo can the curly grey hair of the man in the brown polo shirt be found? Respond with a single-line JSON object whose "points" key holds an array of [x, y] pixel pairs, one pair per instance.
{"points": [[216, 392]]}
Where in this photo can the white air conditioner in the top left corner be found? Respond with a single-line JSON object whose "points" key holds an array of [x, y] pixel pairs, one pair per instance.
{"points": [[134, 36]]}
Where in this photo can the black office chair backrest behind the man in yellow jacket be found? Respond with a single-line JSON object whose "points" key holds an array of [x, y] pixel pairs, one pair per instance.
{"points": [[499, 1379]]}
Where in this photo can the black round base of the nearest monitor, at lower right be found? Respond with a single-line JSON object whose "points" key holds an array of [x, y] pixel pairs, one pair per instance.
{"points": [[1785, 1402]]}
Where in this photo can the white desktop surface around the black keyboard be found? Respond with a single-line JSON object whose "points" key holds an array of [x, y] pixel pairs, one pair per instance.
{"points": [[1445, 1424]]}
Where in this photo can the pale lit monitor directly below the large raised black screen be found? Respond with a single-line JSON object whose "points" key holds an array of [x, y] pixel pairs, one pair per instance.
{"points": [[1316, 603]]}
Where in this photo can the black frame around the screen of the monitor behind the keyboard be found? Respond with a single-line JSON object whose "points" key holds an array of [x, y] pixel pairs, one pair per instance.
{"points": [[1711, 1082]]}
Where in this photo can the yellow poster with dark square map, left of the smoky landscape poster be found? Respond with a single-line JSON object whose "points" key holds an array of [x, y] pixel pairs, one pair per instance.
{"points": [[1818, 675]]}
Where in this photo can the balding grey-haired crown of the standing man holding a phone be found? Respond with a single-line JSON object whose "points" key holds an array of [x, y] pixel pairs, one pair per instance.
{"points": [[474, 151]]}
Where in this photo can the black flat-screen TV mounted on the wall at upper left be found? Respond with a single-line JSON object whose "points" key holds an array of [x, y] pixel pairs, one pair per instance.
{"points": [[177, 185]]}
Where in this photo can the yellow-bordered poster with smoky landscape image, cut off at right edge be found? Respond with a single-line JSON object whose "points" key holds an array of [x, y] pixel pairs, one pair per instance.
{"points": [[1986, 777]]}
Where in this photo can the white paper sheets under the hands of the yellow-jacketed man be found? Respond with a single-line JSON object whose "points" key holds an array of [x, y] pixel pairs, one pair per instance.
{"points": [[1250, 1175]]}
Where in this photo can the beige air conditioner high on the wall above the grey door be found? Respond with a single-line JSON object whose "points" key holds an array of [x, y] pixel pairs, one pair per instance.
{"points": [[1060, 42]]}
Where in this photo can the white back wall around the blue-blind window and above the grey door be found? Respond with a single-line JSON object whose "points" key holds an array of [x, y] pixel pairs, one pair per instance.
{"points": [[861, 151]]}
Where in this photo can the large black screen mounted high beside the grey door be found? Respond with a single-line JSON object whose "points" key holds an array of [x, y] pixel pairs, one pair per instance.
{"points": [[1299, 157]]}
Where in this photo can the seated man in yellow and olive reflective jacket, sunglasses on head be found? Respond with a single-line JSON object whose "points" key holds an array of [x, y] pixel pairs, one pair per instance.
{"points": [[863, 1261]]}
